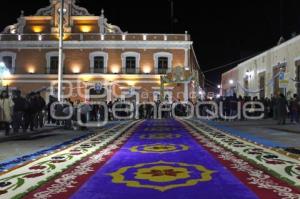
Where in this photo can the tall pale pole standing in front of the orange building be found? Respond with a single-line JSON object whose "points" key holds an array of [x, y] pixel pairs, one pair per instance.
{"points": [[60, 53]]}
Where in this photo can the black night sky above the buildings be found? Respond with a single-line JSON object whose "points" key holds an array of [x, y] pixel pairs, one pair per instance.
{"points": [[222, 31]]}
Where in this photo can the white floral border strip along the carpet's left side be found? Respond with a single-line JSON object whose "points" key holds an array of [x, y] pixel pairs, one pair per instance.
{"points": [[20, 180]]}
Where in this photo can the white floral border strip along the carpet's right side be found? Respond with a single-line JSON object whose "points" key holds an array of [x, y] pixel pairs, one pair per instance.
{"points": [[279, 165]]}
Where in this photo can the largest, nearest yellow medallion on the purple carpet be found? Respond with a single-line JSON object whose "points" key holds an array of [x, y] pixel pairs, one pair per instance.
{"points": [[162, 176]]}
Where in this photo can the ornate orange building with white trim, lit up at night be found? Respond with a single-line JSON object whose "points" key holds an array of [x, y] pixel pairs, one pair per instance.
{"points": [[95, 53]]}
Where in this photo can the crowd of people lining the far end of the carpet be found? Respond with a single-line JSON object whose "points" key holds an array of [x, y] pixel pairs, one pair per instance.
{"points": [[31, 112]]}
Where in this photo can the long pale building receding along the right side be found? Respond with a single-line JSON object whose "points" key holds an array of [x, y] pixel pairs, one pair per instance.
{"points": [[270, 73]]}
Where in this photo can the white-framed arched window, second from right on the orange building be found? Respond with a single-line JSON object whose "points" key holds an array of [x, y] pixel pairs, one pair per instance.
{"points": [[131, 62]]}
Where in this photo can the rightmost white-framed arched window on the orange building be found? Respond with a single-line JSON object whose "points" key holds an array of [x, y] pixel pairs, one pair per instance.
{"points": [[163, 62]]}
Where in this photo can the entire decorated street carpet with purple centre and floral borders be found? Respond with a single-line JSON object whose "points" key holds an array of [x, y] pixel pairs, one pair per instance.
{"points": [[158, 159]]}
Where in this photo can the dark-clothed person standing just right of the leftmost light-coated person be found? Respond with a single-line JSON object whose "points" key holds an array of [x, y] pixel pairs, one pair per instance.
{"points": [[20, 107]]}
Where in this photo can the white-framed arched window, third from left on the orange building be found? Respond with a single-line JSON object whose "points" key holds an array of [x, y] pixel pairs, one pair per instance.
{"points": [[98, 62]]}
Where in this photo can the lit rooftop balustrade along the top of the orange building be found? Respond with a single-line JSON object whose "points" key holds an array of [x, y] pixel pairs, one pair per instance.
{"points": [[95, 37]]}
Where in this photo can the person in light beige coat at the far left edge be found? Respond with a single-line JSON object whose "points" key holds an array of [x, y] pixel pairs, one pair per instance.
{"points": [[6, 111]]}
